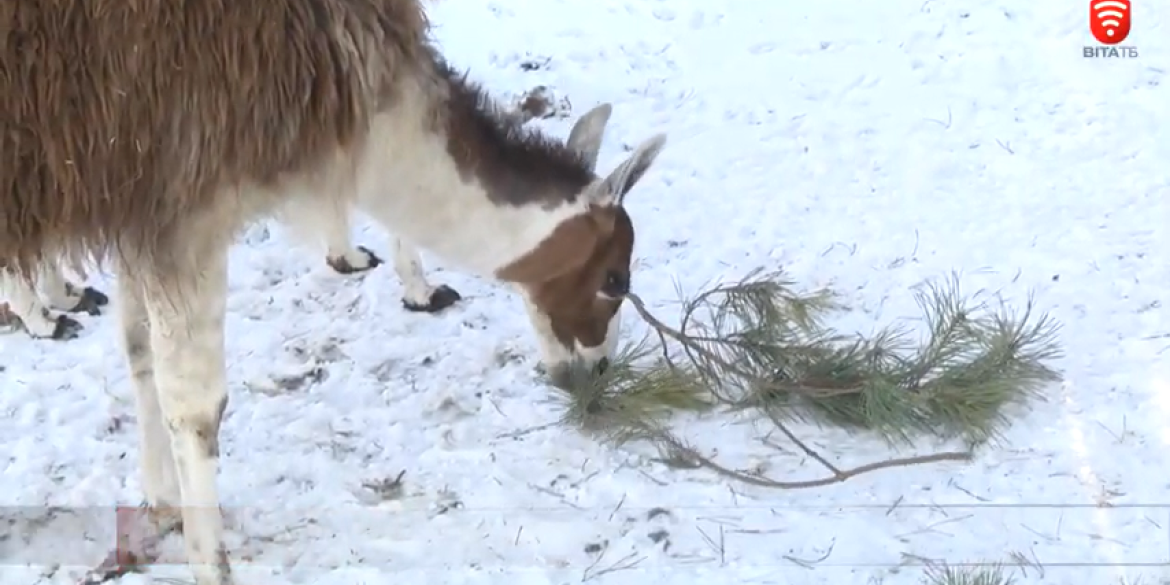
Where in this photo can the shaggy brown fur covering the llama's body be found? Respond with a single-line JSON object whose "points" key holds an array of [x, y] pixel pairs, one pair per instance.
{"points": [[122, 119]]}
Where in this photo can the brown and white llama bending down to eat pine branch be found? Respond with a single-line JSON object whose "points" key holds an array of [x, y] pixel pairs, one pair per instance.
{"points": [[197, 119]]}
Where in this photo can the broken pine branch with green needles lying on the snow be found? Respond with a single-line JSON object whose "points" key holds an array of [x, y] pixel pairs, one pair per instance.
{"points": [[759, 346]]}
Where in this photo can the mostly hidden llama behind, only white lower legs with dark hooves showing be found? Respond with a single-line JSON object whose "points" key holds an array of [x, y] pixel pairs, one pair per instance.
{"points": [[37, 319]]}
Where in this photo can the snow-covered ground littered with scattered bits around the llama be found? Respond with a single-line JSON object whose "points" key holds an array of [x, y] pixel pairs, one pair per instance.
{"points": [[863, 146]]}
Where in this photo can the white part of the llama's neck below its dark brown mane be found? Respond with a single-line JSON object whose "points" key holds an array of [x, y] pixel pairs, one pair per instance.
{"points": [[409, 182]]}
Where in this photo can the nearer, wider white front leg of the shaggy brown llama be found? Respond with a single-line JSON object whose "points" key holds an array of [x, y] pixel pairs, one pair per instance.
{"points": [[187, 333]]}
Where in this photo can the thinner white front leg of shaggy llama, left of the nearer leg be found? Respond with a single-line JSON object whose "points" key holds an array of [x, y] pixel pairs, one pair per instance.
{"points": [[161, 484]]}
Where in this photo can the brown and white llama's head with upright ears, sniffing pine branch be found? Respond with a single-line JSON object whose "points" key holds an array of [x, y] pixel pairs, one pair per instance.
{"points": [[576, 281]]}
